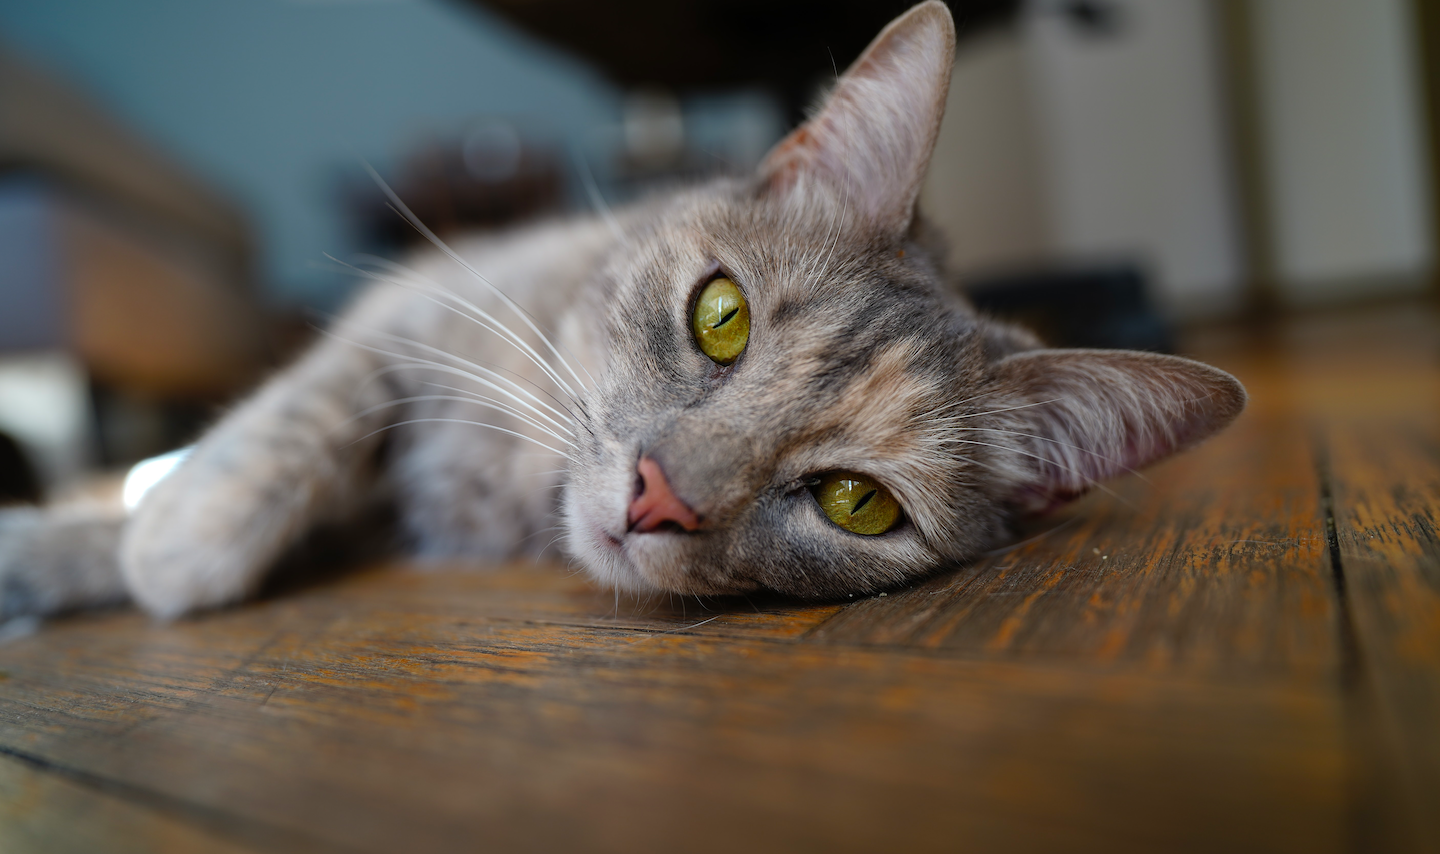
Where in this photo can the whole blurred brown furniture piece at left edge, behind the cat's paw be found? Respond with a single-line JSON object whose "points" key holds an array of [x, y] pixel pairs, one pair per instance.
{"points": [[120, 263]]}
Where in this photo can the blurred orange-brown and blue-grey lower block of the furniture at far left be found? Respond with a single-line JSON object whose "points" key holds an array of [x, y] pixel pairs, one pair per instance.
{"points": [[146, 307]]}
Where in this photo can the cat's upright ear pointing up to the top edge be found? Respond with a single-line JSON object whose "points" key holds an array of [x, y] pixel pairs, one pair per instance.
{"points": [[878, 129]]}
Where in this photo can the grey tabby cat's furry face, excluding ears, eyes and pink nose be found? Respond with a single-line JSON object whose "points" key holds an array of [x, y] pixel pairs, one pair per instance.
{"points": [[853, 362]]}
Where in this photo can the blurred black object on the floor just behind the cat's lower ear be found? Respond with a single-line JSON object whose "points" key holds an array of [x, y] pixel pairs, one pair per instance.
{"points": [[1084, 306]]}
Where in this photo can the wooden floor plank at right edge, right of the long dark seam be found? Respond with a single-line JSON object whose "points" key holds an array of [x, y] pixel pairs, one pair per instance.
{"points": [[1386, 490]]}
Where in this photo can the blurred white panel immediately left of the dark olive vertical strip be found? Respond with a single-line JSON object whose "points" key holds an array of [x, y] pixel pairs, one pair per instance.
{"points": [[1134, 136]]}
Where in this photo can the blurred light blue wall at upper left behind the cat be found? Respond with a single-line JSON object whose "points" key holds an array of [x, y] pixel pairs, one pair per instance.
{"points": [[271, 100]]}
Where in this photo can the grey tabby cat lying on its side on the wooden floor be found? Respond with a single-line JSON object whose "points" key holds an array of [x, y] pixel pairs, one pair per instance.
{"points": [[757, 384]]}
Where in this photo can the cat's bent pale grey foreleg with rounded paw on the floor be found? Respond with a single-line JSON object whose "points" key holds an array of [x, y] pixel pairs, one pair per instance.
{"points": [[302, 450]]}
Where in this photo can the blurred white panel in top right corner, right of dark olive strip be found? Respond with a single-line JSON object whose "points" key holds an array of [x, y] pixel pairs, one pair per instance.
{"points": [[1347, 182]]}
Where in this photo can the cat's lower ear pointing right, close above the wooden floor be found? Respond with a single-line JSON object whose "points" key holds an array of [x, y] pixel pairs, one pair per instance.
{"points": [[1088, 415]]}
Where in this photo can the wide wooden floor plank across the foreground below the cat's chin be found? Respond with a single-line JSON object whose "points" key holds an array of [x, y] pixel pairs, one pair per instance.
{"points": [[385, 729]]}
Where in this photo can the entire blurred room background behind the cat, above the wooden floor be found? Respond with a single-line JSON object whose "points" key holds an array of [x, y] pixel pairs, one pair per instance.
{"points": [[174, 174]]}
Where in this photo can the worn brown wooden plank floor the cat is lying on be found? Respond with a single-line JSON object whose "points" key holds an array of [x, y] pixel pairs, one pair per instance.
{"points": [[1242, 655]]}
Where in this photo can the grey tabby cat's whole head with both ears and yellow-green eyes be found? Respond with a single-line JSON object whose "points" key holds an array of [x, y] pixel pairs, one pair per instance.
{"points": [[794, 400]]}
